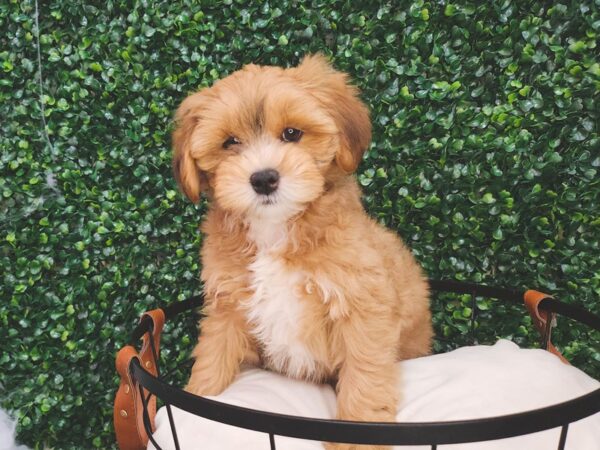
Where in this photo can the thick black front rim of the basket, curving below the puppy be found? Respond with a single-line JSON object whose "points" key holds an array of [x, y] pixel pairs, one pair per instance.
{"points": [[379, 433]]}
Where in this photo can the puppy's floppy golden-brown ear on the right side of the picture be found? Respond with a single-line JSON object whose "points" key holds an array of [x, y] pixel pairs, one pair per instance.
{"points": [[340, 98]]}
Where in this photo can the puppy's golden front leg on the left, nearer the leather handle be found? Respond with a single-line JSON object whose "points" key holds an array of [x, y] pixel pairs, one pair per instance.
{"points": [[222, 346]]}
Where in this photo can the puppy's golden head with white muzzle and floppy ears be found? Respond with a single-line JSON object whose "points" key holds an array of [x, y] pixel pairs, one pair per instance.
{"points": [[263, 141]]}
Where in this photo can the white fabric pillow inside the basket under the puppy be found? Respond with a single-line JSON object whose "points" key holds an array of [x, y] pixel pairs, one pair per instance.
{"points": [[468, 383]]}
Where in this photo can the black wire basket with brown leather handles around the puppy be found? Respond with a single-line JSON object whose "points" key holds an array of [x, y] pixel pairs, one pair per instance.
{"points": [[141, 384]]}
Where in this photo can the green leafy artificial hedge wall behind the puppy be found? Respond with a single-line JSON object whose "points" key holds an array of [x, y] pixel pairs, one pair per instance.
{"points": [[485, 158]]}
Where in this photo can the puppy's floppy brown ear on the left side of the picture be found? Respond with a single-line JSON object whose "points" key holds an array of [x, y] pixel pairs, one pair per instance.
{"points": [[189, 177]]}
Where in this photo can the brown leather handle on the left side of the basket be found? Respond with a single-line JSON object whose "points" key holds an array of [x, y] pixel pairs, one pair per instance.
{"points": [[128, 406]]}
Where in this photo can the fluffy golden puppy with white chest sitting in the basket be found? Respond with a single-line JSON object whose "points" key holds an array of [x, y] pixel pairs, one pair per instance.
{"points": [[296, 276]]}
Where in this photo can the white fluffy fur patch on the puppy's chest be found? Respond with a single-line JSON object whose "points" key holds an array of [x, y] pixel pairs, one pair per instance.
{"points": [[276, 310]]}
